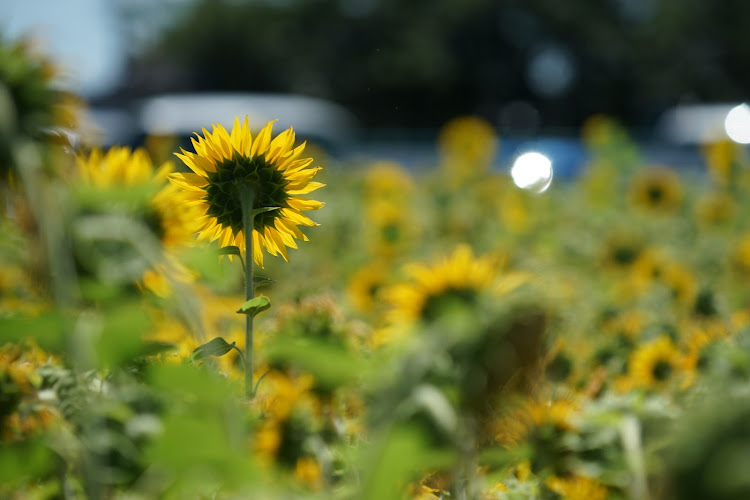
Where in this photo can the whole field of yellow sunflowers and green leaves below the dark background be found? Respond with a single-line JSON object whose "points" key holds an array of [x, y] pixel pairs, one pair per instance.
{"points": [[247, 318]]}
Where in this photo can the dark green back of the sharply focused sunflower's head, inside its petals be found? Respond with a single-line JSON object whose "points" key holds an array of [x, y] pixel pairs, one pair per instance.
{"points": [[232, 177]]}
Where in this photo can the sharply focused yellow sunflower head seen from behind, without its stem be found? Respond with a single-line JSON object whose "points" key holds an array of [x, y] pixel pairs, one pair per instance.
{"points": [[228, 165]]}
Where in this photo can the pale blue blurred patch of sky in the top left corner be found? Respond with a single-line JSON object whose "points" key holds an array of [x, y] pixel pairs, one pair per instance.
{"points": [[83, 36]]}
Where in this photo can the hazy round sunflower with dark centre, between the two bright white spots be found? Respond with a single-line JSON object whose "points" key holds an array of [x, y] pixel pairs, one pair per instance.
{"points": [[657, 189]]}
